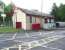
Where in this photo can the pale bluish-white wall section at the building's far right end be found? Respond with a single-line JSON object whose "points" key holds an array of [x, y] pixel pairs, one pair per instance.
{"points": [[48, 25]]}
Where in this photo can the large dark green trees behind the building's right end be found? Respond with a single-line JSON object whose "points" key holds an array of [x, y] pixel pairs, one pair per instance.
{"points": [[58, 12]]}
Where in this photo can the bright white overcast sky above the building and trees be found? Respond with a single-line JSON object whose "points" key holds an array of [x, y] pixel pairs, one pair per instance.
{"points": [[35, 4]]}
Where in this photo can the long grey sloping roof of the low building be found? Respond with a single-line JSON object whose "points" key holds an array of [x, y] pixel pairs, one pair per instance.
{"points": [[35, 12]]}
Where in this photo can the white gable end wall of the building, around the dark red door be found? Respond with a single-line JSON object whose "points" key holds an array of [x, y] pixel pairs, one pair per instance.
{"points": [[19, 16]]}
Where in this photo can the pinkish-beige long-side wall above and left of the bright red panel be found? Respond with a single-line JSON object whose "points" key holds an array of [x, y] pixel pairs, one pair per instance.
{"points": [[34, 19]]}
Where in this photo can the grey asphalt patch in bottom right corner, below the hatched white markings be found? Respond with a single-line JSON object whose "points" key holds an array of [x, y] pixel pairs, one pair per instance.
{"points": [[60, 44]]}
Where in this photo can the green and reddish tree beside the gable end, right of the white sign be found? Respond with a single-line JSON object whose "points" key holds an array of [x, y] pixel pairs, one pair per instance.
{"points": [[8, 10]]}
